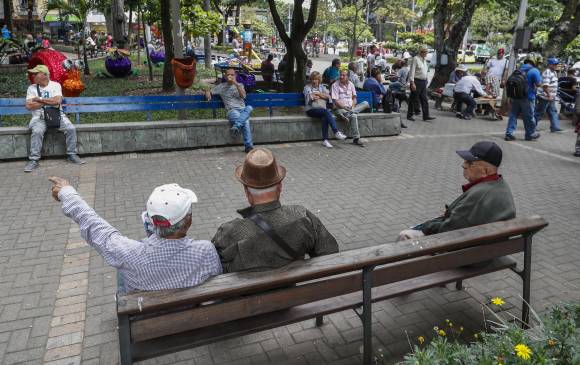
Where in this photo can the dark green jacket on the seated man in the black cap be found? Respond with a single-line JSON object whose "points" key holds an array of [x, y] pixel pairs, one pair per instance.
{"points": [[483, 203]]}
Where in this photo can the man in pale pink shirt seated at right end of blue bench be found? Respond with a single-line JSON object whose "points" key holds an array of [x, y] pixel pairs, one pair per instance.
{"points": [[343, 95]]}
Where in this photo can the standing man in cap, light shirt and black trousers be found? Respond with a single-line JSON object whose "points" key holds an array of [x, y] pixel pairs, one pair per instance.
{"points": [[418, 81]]}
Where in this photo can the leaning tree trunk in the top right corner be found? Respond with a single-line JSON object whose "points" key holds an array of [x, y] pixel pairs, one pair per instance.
{"points": [[566, 30]]}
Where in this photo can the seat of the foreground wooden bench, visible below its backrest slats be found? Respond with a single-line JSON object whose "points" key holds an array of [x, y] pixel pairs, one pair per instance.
{"points": [[182, 341]]}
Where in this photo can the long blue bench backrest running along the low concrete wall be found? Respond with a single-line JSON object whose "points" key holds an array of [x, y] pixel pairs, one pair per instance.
{"points": [[149, 104]]}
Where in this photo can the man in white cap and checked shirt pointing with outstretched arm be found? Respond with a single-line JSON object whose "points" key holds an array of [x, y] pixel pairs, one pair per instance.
{"points": [[167, 259]]}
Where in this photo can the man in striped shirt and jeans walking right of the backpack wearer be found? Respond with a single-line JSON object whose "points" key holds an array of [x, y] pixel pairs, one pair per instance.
{"points": [[548, 95]]}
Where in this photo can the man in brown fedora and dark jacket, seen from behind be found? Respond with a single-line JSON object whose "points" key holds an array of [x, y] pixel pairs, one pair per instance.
{"points": [[269, 235]]}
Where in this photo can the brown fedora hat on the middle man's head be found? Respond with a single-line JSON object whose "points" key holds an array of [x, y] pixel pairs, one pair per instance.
{"points": [[260, 169]]}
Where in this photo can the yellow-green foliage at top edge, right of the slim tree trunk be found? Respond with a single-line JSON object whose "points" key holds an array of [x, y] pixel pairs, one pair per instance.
{"points": [[197, 21]]}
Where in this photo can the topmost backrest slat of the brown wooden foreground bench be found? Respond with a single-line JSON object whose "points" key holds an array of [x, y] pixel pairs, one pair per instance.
{"points": [[237, 284]]}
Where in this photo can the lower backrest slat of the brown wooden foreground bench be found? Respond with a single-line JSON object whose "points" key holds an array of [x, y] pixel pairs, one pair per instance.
{"points": [[213, 314]]}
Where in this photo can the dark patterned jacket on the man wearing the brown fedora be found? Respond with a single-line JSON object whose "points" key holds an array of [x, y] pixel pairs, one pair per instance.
{"points": [[242, 245]]}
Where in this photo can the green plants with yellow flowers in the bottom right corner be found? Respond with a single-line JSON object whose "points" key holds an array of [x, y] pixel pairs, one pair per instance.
{"points": [[553, 341]]}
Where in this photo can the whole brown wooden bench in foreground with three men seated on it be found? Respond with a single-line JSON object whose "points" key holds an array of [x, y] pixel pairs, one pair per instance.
{"points": [[236, 304]]}
